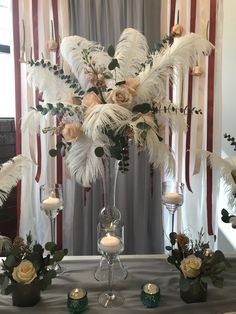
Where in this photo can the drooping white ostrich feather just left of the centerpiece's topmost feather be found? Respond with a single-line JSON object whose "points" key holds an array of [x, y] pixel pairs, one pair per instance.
{"points": [[72, 48]]}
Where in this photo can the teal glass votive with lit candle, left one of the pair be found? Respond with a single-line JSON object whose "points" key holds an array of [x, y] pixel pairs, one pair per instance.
{"points": [[77, 300]]}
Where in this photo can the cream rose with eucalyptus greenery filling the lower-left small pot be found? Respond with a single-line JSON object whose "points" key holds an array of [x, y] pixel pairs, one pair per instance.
{"points": [[26, 262]]}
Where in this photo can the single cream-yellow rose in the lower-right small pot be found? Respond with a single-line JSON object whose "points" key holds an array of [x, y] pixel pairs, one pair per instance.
{"points": [[190, 266]]}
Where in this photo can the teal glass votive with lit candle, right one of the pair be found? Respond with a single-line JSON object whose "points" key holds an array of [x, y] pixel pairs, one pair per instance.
{"points": [[150, 294]]}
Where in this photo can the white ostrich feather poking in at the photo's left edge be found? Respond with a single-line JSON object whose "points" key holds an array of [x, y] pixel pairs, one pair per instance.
{"points": [[10, 174]]}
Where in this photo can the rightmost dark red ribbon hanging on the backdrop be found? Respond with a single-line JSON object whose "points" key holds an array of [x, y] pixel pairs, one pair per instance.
{"points": [[210, 113]]}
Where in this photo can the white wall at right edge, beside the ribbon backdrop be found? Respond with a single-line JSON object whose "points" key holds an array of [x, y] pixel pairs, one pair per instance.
{"points": [[226, 234]]}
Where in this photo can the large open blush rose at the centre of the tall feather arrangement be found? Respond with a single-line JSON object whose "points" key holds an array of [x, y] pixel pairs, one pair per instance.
{"points": [[122, 95]]}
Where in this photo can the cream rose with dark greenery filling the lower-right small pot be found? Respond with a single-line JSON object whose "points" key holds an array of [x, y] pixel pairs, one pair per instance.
{"points": [[195, 261]]}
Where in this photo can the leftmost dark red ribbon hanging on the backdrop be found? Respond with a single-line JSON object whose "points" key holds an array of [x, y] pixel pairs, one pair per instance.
{"points": [[16, 42]]}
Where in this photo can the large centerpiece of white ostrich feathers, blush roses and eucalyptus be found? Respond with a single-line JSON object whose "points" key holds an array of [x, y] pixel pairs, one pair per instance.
{"points": [[111, 97]]}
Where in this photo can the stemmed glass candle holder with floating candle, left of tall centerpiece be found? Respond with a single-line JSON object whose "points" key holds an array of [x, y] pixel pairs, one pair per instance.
{"points": [[51, 202]]}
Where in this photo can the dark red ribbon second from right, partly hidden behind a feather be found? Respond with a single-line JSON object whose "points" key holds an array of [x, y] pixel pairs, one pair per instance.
{"points": [[190, 91]]}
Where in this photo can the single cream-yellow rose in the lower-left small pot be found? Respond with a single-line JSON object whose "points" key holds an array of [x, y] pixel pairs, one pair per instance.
{"points": [[24, 273]]}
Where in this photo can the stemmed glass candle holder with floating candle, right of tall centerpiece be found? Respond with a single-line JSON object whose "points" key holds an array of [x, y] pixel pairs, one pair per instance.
{"points": [[172, 198]]}
